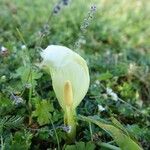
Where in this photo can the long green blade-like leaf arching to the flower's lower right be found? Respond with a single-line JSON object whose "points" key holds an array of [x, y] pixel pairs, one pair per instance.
{"points": [[124, 141]]}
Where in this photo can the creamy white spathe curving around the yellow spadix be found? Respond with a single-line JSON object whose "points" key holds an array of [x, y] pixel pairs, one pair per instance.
{"points": [[65, 65]]}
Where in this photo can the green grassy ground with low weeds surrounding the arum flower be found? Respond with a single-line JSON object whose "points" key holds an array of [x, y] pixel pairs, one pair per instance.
{"points": [[115, 42]]}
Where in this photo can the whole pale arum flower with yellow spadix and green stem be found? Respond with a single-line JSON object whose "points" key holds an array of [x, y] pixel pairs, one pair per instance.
{"points": [[70, 80]]}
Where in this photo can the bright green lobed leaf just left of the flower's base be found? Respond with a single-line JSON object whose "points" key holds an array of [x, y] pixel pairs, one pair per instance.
{"points": [[42, 112]]}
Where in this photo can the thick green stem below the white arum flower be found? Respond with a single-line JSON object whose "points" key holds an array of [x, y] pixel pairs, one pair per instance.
{"points": [[70, 121]]}
